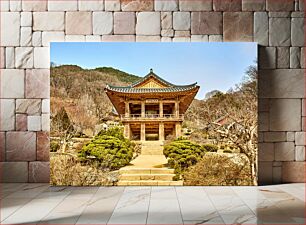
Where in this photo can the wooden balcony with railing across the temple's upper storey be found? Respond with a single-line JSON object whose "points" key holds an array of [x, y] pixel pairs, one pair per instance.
{"points": [[152, 117]]}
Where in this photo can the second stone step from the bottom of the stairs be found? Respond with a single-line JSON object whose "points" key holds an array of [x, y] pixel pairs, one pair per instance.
{"points": [[142, 177]]}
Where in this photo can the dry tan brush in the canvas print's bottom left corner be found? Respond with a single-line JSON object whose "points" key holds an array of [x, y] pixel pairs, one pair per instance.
{"points": [[65, 170]]}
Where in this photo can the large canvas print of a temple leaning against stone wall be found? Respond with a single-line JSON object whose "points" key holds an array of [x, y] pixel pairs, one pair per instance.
{"points": [[153, 114]]}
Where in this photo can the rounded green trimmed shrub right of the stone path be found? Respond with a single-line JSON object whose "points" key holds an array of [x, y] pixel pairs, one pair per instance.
{"points": [[182, 154]]}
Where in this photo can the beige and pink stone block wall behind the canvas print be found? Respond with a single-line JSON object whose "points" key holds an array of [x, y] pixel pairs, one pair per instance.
{"points": [[27, 28]]}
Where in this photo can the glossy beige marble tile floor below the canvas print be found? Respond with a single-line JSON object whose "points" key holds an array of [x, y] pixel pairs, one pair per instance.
{"points": [[163, 205]]}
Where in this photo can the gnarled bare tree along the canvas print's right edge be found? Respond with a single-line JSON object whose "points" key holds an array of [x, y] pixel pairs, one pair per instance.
{"points": [[242, 131]]}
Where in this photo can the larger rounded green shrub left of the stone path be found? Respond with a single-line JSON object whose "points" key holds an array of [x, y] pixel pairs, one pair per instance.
{"points": [[109, 148]]}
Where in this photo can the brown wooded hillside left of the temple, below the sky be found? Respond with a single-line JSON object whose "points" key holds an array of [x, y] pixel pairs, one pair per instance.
{"points": [[81, 93]]}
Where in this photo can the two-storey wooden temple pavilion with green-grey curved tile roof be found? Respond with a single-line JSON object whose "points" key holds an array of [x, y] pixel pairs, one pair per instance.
{"points": [[152, 108]]}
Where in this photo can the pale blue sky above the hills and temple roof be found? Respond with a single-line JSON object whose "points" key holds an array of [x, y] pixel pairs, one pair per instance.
{"points": [[215, 66]]}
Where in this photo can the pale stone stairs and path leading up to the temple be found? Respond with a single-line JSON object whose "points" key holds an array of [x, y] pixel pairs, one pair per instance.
{"points": [[148, 168]]}
